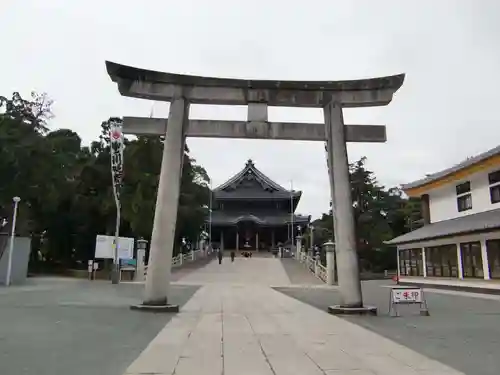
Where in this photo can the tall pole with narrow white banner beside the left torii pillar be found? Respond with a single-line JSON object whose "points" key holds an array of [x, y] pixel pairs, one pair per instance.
{"points": [[116, 152]]}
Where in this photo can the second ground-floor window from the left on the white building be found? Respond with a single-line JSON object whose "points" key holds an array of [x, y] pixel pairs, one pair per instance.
{"points": [[442, 261]]}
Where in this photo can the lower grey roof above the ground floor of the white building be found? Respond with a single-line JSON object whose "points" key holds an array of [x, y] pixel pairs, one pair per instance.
{"points": [[482, 221]]}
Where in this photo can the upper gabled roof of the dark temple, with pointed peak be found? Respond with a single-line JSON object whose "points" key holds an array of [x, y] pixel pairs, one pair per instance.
{"points": [[250, 183]]}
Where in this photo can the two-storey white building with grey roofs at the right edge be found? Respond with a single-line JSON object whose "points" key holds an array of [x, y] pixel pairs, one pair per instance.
{"points": [[459, 243]]}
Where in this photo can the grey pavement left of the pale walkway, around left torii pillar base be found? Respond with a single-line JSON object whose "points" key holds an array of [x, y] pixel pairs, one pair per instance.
{"points": [[60, 326]]}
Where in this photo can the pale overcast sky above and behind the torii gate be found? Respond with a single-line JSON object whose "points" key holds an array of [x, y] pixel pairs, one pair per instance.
{"points": [[447, 109]]}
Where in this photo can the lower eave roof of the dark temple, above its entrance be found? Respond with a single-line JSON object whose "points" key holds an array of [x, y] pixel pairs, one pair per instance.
{"points": [[221, 217]]}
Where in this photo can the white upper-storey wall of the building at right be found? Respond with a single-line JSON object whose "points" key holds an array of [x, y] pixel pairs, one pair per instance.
{"points": [[443, 200]]}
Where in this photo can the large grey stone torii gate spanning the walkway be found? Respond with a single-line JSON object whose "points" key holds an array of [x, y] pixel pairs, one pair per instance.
{"points": [[182, 90]]}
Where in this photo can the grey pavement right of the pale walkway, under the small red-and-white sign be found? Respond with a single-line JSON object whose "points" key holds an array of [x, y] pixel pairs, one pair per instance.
{"points": [[462, 331]]}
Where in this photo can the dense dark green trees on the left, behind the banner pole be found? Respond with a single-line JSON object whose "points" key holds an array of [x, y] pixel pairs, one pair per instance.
{"points": [[66, 188]]}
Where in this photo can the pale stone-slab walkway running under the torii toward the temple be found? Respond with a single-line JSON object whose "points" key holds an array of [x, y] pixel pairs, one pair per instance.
{"points": [[236, 324]]}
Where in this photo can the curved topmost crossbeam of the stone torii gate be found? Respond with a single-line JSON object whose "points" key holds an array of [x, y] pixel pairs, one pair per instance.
{"points": [[153, 85]]}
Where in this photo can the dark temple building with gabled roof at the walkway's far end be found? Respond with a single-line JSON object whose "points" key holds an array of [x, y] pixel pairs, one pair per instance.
{"points": [[252, 212]]}
